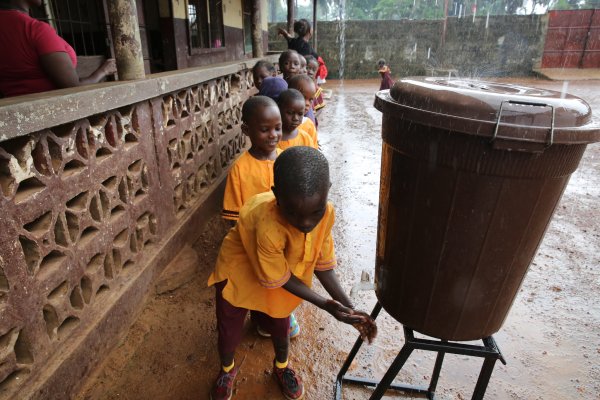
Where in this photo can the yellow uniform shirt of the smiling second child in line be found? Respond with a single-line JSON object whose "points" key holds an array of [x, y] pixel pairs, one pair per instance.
{"points": [[247, 177]]}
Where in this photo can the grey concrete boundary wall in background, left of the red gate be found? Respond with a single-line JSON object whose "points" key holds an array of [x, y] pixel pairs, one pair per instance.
{"points": [[508, 46]]}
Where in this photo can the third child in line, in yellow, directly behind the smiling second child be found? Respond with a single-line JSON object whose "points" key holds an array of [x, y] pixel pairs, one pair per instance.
{"points": [[291, 107]]}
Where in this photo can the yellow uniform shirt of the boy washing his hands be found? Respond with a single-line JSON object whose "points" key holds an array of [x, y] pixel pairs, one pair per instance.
{"points": [[263, 250]]}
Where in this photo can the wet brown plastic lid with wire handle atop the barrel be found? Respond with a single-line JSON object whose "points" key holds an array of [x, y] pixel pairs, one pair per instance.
{"points": [[500, 111]]}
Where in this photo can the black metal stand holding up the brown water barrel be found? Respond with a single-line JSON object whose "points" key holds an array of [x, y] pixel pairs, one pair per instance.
{"points": [[489, 352]]}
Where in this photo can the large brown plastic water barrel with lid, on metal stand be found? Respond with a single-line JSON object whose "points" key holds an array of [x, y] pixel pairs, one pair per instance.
{"points": [[471, 173]]}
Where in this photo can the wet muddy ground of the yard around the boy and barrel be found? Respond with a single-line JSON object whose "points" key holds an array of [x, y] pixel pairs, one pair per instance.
{"points": [[551, 338]]}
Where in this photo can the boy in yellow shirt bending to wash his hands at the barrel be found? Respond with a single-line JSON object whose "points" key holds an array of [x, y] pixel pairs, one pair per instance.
{"points": [[267, 261]]}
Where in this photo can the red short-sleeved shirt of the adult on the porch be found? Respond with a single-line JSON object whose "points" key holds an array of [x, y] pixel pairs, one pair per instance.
{"points": [[22, 41]]}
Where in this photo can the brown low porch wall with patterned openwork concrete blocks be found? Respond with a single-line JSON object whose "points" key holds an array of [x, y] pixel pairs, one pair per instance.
{"points": [[100, 186]]}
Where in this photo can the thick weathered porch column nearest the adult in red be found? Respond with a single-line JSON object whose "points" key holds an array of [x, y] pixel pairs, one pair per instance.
{"points": [[126, 39]]}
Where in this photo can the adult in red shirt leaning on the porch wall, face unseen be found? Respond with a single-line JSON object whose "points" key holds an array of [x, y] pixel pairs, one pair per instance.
{"points": [[34, 58]]}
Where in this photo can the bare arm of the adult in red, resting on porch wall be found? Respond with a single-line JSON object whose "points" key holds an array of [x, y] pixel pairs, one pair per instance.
{"points": [[60, 70]]}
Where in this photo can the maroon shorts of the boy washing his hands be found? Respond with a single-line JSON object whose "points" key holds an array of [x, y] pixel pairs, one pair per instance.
{"points": [[230, 322]]}
